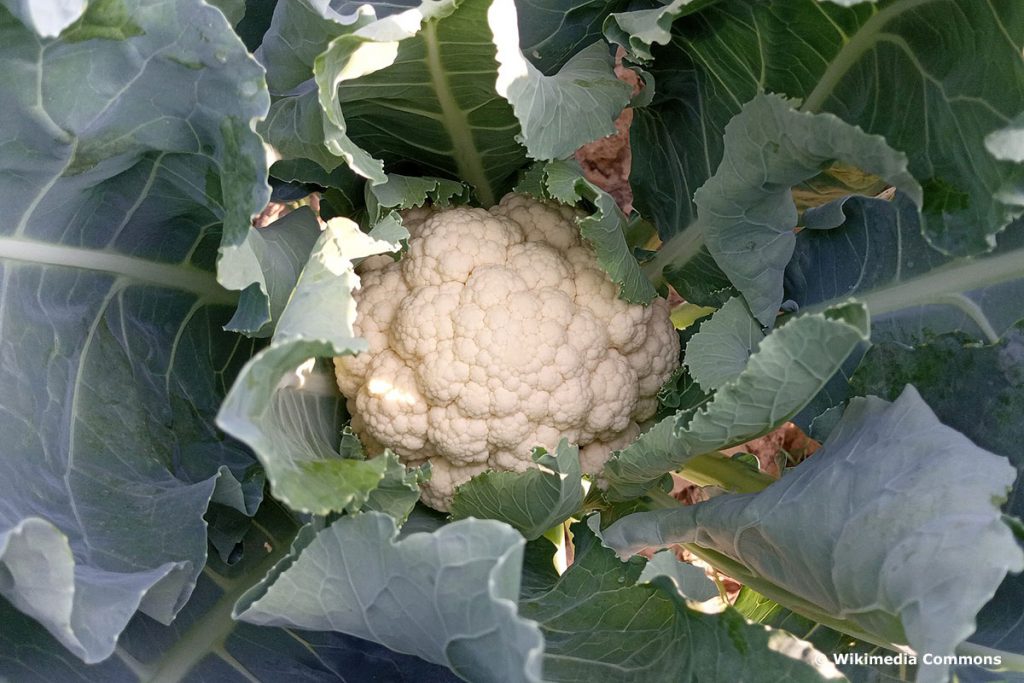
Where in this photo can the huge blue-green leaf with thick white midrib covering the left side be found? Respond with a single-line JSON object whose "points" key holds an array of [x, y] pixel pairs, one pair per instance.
{"points": [[130, 157]]}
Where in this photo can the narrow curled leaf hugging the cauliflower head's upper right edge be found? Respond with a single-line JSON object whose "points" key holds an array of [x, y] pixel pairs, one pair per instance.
{"points": [[605, 229]]}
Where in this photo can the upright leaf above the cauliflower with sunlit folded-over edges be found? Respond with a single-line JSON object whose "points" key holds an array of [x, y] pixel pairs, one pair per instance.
{"points": [[420, 91]]}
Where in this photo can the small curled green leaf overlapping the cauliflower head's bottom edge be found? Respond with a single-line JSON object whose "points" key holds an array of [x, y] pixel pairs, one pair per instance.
{"points": [[533, 501]]}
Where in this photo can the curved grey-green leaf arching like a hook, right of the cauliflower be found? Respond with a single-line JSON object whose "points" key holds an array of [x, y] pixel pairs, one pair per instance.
{"points": [[747, 210]]}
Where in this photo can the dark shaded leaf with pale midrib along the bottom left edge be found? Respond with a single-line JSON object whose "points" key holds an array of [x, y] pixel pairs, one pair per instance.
{"points": [[206, 644]]}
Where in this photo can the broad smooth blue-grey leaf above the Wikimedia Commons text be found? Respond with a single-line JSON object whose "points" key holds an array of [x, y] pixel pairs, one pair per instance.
{"points": [[882, 538]]}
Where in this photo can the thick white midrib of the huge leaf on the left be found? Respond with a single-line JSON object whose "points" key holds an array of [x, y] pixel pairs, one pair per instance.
{"points": [[172, 276]]}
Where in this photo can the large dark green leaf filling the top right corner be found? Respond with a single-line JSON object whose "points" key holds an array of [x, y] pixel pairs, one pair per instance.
{"points": [[933, 77]]}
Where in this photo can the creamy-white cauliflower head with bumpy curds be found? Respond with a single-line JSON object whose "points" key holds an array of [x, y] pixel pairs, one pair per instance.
{"points": [[499, 332]]}
